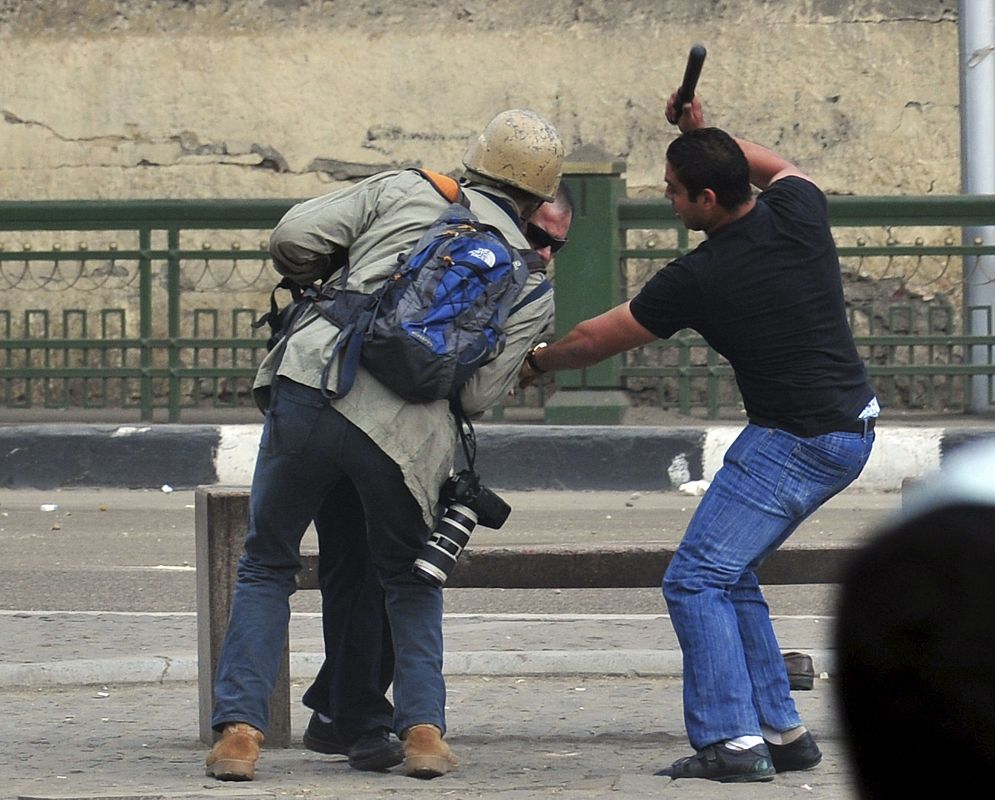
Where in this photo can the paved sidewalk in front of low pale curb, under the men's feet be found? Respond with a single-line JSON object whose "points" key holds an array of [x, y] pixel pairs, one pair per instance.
{"points": [[517, 738]]}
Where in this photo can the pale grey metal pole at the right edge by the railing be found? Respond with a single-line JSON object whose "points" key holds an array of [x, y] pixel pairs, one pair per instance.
{"points": [[977, 104]]}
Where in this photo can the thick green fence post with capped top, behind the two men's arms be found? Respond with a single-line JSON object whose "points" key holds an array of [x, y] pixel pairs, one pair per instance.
{"points": [[587, 283]]}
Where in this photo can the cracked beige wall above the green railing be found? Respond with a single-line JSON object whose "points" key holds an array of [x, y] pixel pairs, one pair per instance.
{"points": [[263, 98]]}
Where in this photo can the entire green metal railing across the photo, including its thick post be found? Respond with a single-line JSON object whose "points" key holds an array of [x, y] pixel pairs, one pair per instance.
{"points": [[147, 305]]}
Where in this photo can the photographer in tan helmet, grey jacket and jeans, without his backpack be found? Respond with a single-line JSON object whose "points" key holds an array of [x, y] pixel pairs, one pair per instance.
{"points": [[370, 452]]}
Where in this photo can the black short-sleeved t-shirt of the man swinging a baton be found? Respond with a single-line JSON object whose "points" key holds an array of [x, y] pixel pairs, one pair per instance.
{"points": [[765, 292]]}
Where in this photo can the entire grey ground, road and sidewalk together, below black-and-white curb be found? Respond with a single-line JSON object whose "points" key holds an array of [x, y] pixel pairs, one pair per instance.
{"points": [[569, 693]]}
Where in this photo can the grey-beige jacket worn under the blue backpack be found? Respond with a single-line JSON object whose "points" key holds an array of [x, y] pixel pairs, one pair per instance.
{"points": [[376, 220]]}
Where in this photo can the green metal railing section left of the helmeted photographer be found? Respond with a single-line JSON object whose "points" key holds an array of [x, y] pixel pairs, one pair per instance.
{"points": [[148, 346]]}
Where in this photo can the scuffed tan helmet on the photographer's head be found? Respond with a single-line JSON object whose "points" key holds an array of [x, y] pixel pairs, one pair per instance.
{"points": [[521, 149]]}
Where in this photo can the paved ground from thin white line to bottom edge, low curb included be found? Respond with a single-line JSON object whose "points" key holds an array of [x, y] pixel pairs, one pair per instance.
{"points": [[581, 707]]}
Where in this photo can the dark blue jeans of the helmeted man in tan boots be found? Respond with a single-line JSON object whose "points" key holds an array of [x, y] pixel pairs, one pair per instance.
{"points": [[307, 450]]}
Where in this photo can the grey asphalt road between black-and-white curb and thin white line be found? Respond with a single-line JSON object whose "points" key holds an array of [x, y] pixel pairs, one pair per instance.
{"points": [[133, 550]]}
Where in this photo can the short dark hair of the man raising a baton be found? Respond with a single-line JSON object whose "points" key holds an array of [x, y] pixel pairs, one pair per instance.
{"points": [[709, 158]]}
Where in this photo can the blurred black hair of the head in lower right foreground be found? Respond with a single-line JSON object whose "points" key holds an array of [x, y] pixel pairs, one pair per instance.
{"points": [[915, 647]]}
